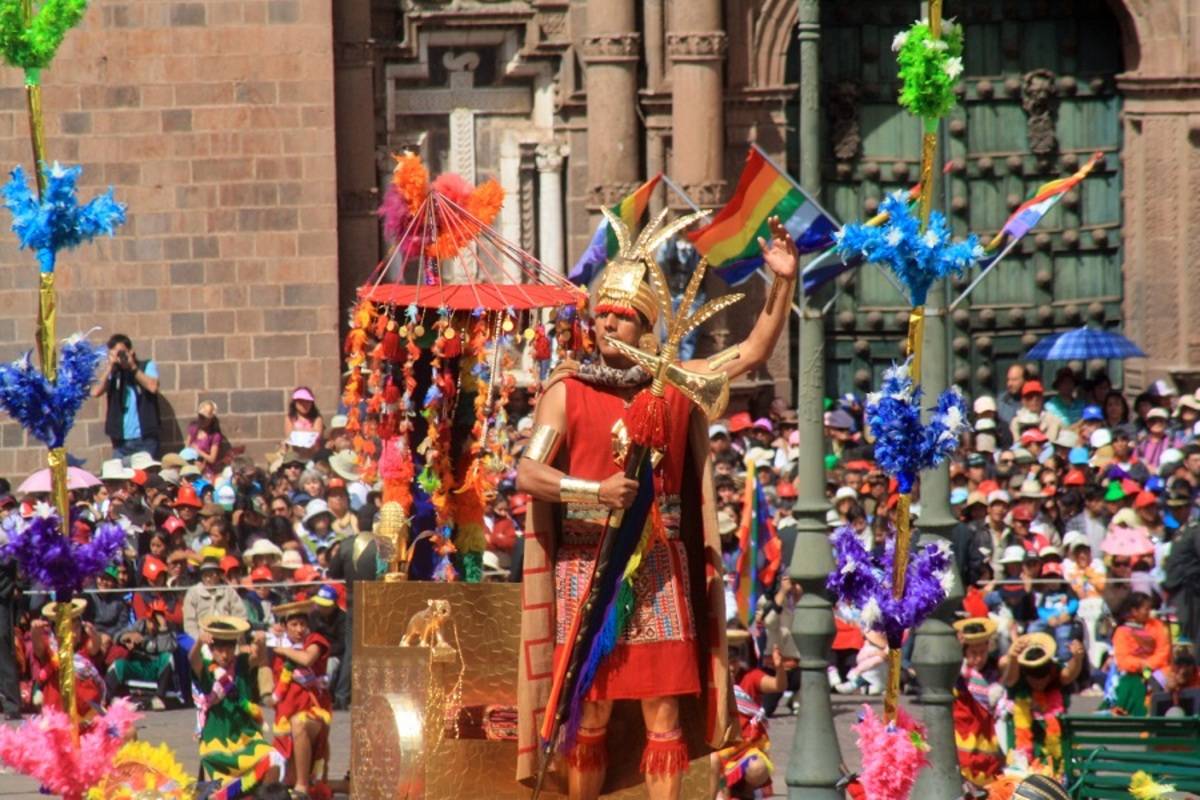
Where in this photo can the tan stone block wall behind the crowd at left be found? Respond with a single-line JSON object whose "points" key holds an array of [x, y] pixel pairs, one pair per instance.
{"points": [[214, 121]]}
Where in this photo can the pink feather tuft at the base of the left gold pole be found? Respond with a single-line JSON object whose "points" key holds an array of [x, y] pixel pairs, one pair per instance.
{"points": [[44, 749]]}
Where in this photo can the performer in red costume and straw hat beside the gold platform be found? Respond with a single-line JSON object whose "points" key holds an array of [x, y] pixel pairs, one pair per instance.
{"points": [[304, 707]]}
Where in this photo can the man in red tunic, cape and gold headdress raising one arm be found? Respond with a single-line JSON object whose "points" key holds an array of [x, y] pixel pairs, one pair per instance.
{"points": [[574, 471]]}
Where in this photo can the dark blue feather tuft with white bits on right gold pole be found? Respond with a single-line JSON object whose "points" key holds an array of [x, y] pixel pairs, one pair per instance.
{"points": [[903, 444]]}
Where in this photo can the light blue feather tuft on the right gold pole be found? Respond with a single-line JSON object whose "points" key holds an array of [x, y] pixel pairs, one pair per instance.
{"points": [[916, 258]]}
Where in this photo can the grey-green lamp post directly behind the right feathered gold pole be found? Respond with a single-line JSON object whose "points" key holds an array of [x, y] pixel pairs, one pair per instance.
{"points": [[937, 654]]}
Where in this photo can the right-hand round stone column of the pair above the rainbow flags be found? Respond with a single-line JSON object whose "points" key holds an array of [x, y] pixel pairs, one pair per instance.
{"points": [[697, 46]]}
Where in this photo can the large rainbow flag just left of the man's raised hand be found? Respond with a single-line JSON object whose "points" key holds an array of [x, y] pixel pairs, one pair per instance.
{"points": [[731, 240]]}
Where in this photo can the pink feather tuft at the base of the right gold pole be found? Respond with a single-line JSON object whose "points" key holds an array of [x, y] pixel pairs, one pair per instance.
{"points": [[893, 755]]}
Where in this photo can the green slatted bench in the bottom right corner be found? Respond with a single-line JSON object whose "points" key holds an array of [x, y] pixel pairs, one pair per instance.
{"points": [[1101, 754]]}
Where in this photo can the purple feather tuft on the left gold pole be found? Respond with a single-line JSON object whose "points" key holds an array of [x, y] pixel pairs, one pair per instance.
{"points": [[57, 562]]}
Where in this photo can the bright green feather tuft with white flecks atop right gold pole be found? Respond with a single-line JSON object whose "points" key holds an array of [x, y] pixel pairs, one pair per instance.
{"points": [[929, 70]]}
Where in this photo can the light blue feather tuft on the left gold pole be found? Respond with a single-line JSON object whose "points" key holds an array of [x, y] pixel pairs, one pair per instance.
{"points": [[57, 221]]}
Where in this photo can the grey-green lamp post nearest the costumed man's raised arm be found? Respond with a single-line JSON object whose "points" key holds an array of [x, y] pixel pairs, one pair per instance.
{"points": [[814, 767]]}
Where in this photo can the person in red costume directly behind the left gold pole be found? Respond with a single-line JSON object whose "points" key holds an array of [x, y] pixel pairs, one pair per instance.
{"points": [[91, 689]]}
